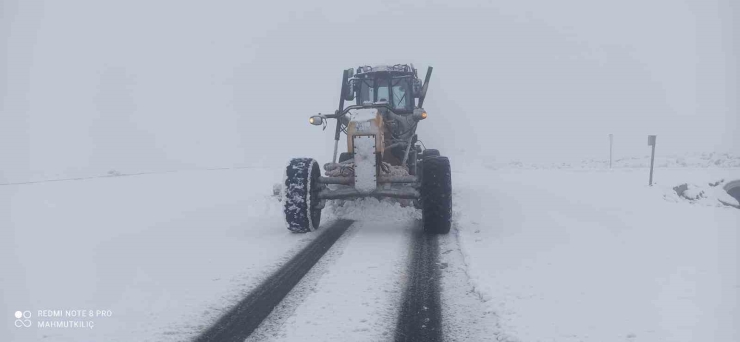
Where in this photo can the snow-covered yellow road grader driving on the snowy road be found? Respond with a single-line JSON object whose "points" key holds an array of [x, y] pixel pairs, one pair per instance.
{"points": [[384, 157]]}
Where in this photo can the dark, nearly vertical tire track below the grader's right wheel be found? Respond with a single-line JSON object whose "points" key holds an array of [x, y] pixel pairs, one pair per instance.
{"points": [[420, 317]]}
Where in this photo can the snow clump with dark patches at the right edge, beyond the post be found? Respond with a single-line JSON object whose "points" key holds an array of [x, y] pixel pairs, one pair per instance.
{"points": [[710, 194]]}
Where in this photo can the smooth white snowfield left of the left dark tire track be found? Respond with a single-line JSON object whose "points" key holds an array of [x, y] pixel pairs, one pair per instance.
{"points": [[165, 253]]}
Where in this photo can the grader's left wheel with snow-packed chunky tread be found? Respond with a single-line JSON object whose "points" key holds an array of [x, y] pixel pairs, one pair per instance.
{"points": [[301, 195]]}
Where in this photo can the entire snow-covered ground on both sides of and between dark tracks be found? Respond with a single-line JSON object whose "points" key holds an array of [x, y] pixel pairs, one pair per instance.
{"points": [[551, 254]]}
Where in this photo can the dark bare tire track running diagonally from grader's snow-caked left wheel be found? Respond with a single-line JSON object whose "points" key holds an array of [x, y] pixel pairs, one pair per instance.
{"points": [[239, 322]]}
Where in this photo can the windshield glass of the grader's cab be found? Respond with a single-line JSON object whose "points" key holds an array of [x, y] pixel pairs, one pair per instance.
{"points": [[394, 91]]}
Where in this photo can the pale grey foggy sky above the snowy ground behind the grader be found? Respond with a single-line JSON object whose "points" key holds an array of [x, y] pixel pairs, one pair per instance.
{"points": [[91, 86]]}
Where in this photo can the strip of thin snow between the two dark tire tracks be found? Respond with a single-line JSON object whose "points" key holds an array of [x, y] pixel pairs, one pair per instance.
{"points": [[353, 293]]}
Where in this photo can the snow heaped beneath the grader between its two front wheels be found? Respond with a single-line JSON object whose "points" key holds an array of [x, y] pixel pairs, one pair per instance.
{"points": [[386, 210]]}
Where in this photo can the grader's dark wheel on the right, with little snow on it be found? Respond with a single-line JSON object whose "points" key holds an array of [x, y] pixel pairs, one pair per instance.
{"points": [[436, 195]]}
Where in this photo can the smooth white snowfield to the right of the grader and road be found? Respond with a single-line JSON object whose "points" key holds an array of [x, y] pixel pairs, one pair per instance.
{"points": [[587, 255]]}
